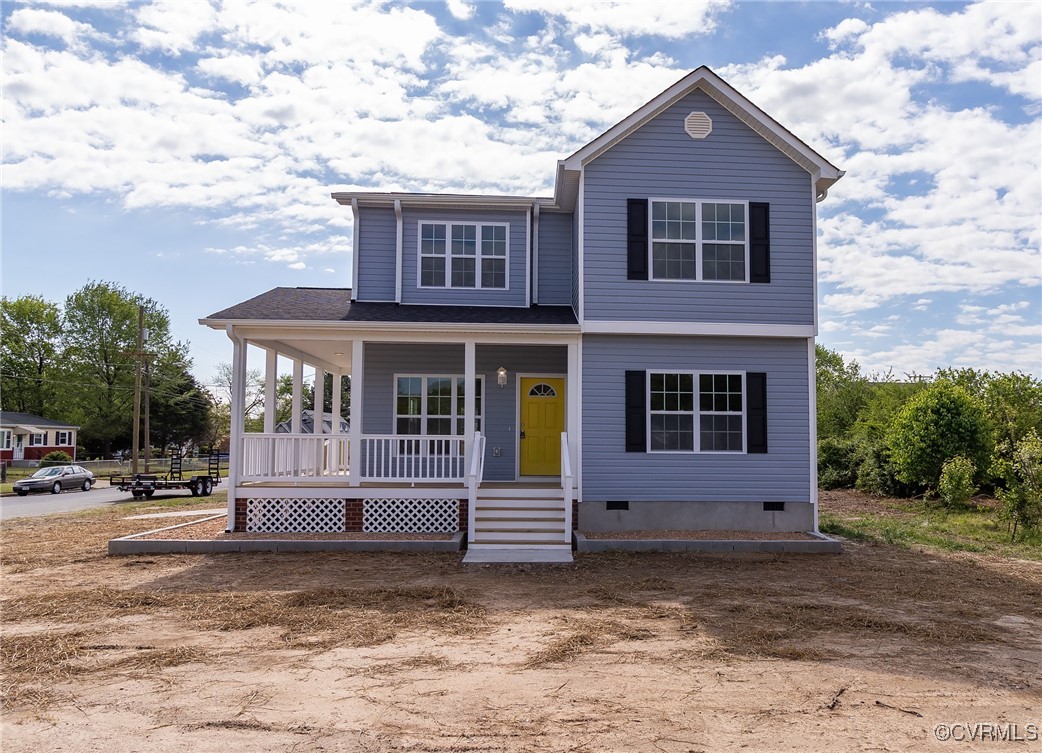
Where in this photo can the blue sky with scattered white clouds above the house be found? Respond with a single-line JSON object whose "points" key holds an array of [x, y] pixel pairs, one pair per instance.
{"points": [[187, 149]]}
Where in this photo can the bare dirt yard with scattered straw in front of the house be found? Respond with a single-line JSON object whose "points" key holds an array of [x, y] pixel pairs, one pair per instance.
{"points": [[869, 650]]}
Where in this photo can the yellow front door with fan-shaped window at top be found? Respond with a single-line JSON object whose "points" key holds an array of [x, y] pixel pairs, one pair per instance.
{"points": [[542, 422]]}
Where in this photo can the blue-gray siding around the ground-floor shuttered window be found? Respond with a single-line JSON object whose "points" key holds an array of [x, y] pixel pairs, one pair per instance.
{"points": [[611, 473]]}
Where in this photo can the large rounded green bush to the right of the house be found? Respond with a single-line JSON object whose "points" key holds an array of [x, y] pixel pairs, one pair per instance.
{"points": [[937, 424]]}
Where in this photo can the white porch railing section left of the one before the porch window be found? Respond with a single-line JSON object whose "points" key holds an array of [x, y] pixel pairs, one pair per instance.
{"points": [[284, 457]]}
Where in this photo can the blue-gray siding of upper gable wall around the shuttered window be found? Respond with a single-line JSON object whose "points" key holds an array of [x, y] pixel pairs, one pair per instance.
{"points": [[660, 161]]}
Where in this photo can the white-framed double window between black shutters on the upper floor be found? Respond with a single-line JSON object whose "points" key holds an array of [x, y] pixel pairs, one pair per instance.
{"points": [[700, 240]]}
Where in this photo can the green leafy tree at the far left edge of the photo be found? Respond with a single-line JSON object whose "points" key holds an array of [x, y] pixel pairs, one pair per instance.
{"points": [[31, 355]]}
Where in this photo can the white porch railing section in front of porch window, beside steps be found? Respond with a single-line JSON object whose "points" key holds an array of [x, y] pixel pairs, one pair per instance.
{"points": [[402, 458]]}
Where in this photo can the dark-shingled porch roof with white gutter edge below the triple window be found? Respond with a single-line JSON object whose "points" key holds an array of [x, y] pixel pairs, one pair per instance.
{"points": [[334, 305]]}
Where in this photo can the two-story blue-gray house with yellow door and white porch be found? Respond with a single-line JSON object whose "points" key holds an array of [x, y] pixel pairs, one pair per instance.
{"points": [[635, 353]]}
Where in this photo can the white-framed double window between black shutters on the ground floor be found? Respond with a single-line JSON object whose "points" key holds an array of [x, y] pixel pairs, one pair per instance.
{"points": [[697, 412]]}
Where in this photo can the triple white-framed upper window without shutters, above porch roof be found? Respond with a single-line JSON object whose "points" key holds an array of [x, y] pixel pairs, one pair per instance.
{"points": [[463, 256]]}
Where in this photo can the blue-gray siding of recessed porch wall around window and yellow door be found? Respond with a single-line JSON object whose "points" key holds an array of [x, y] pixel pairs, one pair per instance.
{"points": [[500, 420]]}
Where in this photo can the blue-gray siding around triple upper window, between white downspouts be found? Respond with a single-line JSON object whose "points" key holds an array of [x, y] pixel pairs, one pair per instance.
{"points": [[517, 252]]}
